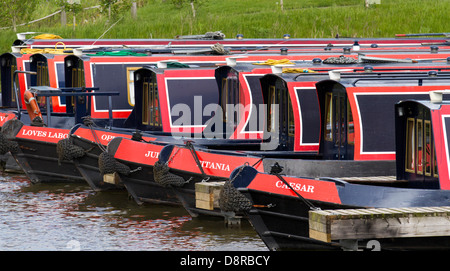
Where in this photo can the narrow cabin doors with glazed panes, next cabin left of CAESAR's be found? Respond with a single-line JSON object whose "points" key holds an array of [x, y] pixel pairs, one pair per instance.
{"points": [[336, 126]]}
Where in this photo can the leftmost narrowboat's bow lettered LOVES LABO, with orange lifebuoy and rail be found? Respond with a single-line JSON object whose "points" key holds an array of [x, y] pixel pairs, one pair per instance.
{"points": [[34, 145]]}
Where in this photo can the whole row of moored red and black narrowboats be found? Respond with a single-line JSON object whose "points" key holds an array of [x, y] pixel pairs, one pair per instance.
{"points": [[327, 114]]}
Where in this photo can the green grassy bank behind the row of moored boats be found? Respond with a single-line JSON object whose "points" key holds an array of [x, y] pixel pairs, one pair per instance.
{"points": [[254, 19]]}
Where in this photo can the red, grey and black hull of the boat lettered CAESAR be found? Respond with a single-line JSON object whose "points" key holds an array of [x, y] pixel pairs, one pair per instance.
{"points": [[281, 218]]}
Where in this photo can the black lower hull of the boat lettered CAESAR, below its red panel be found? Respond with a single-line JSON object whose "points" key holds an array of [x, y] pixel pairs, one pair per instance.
{"points": [[285, 226]]}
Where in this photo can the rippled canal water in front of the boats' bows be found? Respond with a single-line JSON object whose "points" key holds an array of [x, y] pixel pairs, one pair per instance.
{"points": [[62, 217]]}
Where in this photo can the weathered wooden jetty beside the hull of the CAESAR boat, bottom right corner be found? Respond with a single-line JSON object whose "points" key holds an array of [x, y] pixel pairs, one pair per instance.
{"points": [[379, 223]]}
